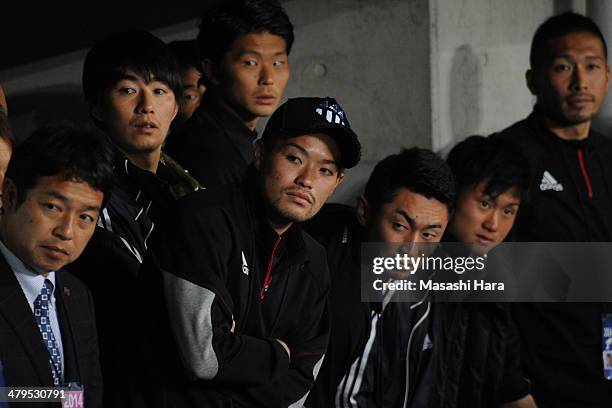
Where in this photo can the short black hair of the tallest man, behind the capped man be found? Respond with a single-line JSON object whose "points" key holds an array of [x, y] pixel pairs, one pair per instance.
{"points": [[227, 21]]}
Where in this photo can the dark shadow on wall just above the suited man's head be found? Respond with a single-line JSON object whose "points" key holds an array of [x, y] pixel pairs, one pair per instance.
{"points": [[29, 111]]}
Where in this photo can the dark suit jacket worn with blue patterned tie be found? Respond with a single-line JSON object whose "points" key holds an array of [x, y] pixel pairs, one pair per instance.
{"points": [[24, 357]]}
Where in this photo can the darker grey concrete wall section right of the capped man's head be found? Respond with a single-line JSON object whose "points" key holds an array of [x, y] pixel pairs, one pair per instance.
{"points": [[372, 56]]}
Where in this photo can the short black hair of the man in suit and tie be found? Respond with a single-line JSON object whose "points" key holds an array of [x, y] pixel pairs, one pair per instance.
{"points": [[77, 154]]}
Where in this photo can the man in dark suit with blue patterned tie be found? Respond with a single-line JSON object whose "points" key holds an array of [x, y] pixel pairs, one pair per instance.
{"points": [[54, 188]]}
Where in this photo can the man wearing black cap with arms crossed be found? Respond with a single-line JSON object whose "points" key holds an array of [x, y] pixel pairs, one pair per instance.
{"points": [[245, 287]]}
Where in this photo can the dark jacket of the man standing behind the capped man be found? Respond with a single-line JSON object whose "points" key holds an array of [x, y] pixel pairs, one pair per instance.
{"points": [[214, 145]]}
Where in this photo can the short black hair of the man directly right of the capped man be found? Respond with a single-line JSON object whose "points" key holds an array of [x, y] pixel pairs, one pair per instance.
{"points": [[419, 170]]}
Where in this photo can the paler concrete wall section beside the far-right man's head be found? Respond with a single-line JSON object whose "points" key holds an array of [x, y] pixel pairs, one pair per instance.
{"points": [[481, 53]]}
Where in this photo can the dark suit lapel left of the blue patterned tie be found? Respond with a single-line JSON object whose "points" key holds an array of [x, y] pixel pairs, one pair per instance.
{"points": [[15, 310]]}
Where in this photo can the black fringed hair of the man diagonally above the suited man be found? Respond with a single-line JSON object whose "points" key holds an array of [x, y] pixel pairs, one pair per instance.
{"points": [[111, 57]]}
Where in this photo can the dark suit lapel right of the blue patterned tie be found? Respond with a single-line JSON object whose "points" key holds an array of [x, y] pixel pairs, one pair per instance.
{"points": [[65, 308]]}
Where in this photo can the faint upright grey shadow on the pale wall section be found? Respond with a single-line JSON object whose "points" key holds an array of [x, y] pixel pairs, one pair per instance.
{"points": [[465, 95]]}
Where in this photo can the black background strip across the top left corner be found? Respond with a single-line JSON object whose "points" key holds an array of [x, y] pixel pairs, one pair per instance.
{"points": [[31, 31]]}
